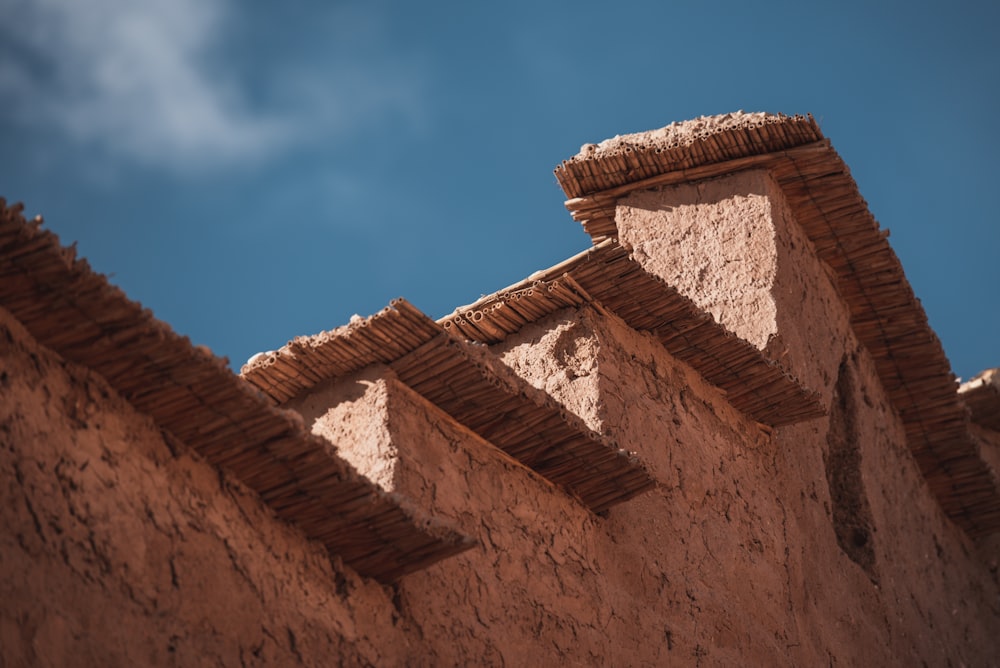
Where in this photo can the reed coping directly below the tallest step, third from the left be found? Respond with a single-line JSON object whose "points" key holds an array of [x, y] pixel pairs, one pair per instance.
{"points": [[608, 277]]}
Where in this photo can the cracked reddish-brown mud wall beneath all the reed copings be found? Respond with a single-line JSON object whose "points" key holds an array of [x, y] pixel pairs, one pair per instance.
{"points": [[815, 544]]}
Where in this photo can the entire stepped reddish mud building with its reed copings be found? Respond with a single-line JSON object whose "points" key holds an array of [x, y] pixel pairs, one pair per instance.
{"points": [[723, 435]]}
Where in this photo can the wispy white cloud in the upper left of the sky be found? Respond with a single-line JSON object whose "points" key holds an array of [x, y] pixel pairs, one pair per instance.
{"points": [[148, 81]]}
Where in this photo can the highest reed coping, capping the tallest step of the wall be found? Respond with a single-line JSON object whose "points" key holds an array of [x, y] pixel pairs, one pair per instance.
{"points": [[885, 314]]}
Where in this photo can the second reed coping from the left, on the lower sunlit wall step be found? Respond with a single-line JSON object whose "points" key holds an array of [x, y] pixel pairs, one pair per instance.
{"points": [[467, 383]]}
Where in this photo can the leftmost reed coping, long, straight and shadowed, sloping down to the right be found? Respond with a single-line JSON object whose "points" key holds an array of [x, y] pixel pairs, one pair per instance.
{"points": [[193, 395]]}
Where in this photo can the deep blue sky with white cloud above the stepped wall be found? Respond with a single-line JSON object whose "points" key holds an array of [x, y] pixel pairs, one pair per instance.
{"points": [[254, 171]]}
